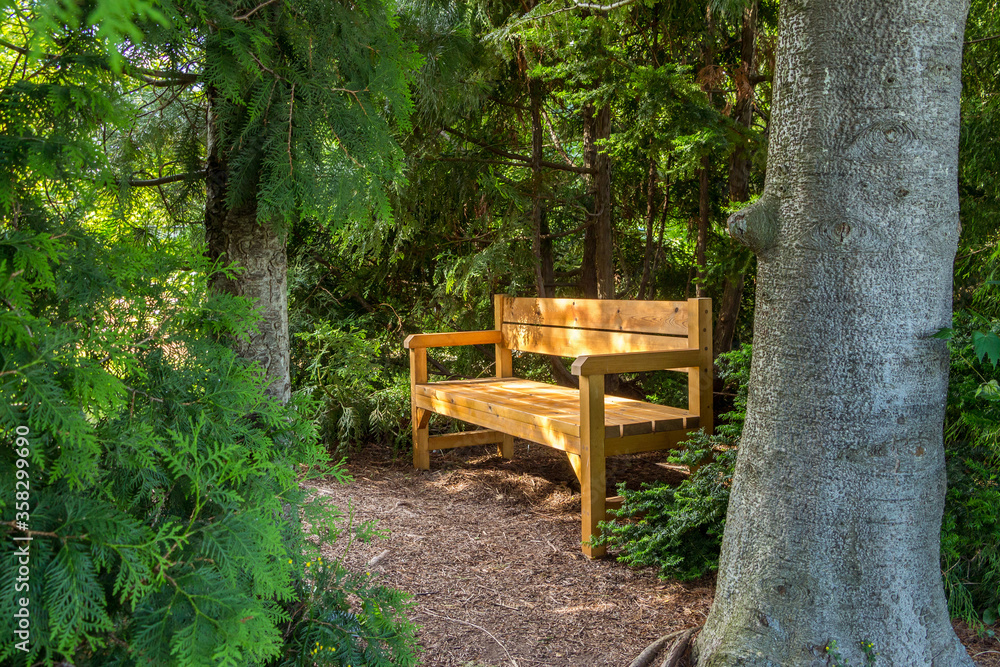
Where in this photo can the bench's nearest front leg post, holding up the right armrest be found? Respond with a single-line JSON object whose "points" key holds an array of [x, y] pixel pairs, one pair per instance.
{"points": [[592, 473]]}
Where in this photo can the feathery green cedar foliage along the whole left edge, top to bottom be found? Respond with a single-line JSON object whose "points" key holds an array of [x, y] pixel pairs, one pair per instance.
{"points": [[160, 474]]}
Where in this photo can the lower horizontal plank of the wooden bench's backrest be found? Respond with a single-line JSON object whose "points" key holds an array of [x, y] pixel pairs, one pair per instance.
{"points": [[575, 342]]}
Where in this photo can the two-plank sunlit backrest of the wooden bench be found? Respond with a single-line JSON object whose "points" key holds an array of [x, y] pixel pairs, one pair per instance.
{"points": [[573, 327]]}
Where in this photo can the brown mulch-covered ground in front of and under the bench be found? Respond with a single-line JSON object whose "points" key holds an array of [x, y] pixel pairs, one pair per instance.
{"points": [[490, 550]]}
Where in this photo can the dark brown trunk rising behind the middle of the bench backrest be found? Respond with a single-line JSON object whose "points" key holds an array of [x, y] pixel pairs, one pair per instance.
{"points": [[598, 276]]}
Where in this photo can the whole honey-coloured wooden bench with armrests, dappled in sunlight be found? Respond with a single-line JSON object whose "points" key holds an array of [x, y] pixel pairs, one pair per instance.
{"points": [[605, 337]]}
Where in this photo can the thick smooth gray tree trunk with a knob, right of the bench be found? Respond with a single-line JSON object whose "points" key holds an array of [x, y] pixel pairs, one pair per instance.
{"points": [[832, 532]]}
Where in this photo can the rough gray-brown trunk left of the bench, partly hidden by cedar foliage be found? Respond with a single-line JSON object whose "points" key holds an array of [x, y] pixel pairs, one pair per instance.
{"points": [[234, 236]]}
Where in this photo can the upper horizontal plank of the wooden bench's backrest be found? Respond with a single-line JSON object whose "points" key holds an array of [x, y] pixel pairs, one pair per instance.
{"points": [[656, 317]]}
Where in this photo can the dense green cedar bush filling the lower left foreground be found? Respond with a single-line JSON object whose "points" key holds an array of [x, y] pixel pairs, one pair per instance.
{"points": [[162, 485]]}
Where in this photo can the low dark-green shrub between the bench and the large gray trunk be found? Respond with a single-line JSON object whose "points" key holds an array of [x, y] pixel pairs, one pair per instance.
{"points": [[678, 529]]}
